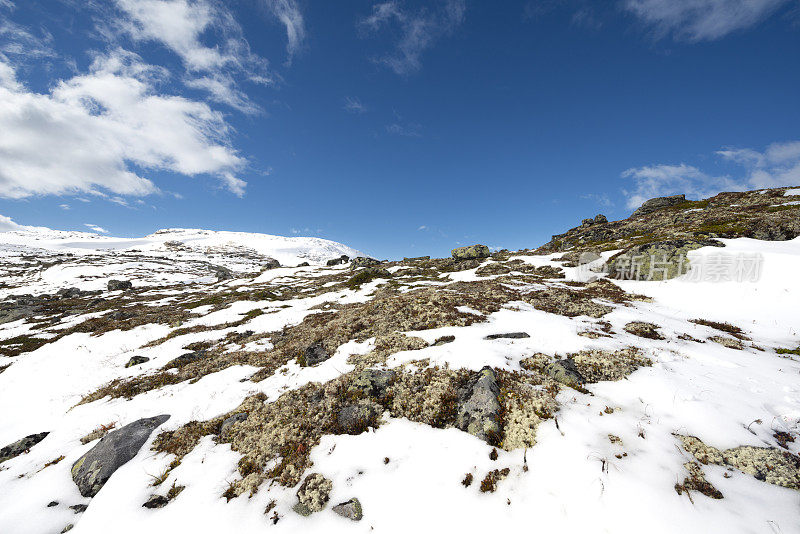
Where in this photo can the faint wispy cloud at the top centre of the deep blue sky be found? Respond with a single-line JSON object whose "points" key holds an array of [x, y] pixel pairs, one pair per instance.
{"points": [[418, 31]]}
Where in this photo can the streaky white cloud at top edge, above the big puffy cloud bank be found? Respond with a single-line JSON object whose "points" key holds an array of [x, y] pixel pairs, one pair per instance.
{"points": [[182, 26]]}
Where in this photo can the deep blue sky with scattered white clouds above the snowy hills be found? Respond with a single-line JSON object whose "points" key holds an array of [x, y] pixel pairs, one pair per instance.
{"points": [[400, 128]]}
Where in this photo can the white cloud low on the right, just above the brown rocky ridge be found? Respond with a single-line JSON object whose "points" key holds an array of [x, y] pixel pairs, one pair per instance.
{"points": [[778, 165]]}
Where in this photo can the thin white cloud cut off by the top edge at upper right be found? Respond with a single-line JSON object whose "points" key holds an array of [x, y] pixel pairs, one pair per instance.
{"points": [[701, 20]]}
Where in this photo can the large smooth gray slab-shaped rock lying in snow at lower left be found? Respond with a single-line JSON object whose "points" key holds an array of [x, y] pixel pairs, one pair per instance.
{"points": [[117, 448]]}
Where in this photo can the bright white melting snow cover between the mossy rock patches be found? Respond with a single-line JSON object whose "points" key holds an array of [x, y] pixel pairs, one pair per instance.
{"points": [[608, 462]]}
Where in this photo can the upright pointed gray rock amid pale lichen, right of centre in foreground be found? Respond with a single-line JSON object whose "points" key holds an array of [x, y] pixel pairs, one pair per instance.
{"points": [[479, 407]]}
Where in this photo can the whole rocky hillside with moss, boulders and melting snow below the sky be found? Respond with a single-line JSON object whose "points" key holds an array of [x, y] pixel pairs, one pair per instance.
{"points": [[180, 384]]}
